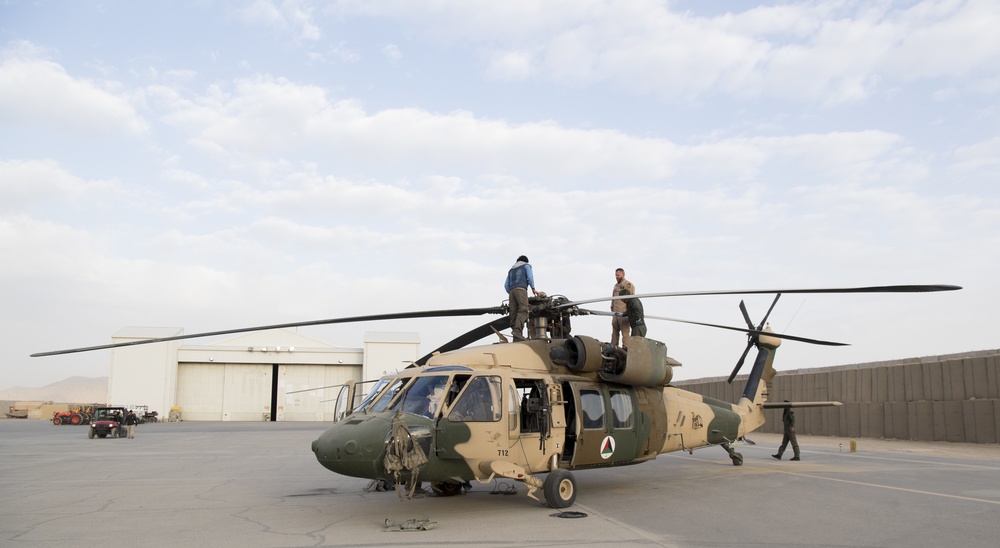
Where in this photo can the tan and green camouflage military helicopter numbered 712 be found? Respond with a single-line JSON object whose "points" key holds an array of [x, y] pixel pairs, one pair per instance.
{"points": [[549, 405]]}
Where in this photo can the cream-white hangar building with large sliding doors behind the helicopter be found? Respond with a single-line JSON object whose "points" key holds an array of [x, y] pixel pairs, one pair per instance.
{"points": [[264, 375]]}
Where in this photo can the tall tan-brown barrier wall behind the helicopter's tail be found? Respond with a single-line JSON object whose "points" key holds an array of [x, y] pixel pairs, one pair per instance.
{"points": [[942, 398]]}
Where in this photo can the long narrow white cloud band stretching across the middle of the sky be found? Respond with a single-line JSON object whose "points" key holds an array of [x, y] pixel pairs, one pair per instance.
{"points": [[265, 117]]}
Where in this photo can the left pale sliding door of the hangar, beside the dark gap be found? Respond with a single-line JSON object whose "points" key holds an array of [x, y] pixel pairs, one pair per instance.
{"points": [[224, 392]]}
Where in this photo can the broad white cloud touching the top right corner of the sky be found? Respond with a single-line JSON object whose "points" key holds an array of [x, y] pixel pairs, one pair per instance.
{"points": [[812, 52]]}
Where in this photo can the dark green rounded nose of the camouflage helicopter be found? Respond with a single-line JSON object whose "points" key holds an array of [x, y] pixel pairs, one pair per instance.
{"points": [[354, 446]]}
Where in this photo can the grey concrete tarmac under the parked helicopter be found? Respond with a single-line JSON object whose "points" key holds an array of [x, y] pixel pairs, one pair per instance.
{"points": [[257, 484]]}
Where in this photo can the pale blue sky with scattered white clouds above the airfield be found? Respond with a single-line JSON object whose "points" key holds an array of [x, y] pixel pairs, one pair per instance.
{"points": [[211, 165]]}
